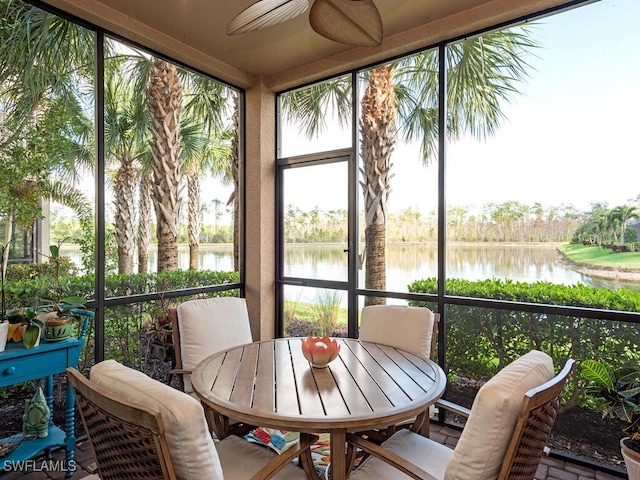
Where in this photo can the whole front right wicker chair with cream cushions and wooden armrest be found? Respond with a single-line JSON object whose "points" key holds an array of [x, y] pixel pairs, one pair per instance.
{"points": [[504, 437]]}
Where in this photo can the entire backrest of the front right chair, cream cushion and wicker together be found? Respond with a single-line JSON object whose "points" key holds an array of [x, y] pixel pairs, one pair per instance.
{"points": [[503, 417]]}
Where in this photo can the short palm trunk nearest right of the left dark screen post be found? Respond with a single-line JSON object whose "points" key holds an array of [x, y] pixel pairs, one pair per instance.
{"points": [[125, 187]]}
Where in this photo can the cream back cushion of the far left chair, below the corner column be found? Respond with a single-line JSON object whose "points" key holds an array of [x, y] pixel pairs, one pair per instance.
{"points": [[208, 326]]}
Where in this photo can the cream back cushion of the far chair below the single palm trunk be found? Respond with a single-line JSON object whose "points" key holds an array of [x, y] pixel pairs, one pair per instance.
{"points": [[408, 328]]}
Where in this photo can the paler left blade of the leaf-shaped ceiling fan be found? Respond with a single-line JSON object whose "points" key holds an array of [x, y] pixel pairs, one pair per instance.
{"points": [[265, 13]]}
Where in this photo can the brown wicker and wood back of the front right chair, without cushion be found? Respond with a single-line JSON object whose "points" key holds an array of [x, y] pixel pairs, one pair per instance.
{"points": [[535, 421]]}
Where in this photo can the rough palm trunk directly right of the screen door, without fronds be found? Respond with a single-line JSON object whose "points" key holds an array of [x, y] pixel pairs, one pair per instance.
{"points": [[377, 133]]}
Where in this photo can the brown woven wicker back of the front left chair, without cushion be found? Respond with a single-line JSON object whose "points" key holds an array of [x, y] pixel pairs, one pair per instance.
{"points": [[127, 441]]}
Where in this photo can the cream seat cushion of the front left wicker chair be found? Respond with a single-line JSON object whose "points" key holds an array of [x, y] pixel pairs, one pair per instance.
{"points": [[241, 460]]}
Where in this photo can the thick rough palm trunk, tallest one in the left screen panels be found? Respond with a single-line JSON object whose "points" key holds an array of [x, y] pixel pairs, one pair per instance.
{"points": [[164, 97]]}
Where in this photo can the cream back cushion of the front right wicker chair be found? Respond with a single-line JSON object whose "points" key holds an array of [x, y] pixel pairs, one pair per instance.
{"points": [[485, 438]]}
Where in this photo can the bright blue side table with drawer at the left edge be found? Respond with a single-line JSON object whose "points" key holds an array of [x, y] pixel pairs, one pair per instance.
{"points": [[19, 364]]}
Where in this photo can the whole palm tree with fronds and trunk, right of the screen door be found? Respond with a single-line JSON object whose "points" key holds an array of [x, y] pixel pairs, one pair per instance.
{"points": [[403, 97]]}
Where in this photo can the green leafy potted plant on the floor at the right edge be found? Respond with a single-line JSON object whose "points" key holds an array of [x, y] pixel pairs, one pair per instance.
{"points": [[617, 392]]}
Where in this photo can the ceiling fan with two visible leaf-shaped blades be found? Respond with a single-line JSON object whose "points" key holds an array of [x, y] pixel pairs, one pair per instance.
{"points": [[352, 22]]}
